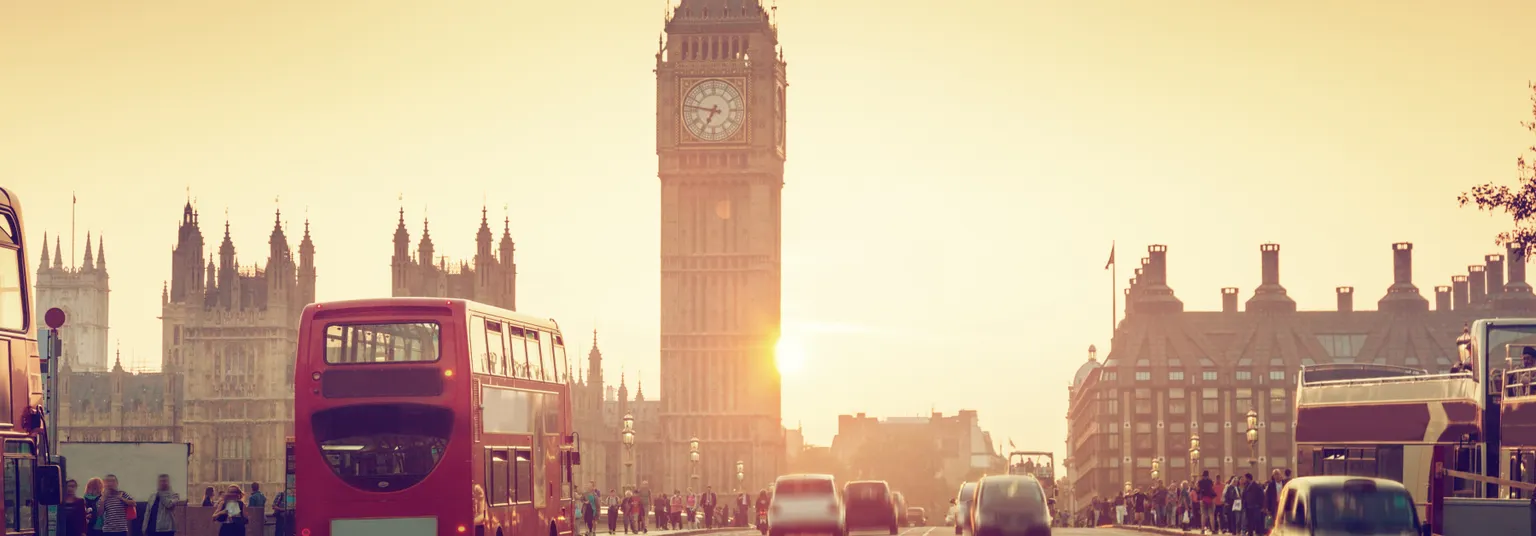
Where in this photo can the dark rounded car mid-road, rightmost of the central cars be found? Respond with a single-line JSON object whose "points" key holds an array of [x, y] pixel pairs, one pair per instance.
{"points": [[1010, 506]]}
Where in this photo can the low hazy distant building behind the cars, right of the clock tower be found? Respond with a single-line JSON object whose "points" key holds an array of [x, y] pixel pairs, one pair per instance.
{"points": [[962, 443]]}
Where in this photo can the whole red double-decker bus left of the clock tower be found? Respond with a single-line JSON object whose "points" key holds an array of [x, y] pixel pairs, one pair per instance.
{"points": [[411, 409]]}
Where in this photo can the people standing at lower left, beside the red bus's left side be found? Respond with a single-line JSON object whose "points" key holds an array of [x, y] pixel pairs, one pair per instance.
{"points": [[107, 511]]}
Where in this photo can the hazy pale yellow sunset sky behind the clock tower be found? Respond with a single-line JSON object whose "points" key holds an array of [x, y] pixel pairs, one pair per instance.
{"points": [[958, 170]]}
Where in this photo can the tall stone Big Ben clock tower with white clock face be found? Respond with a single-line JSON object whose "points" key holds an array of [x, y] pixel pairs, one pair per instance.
{"points": [[721, 150]]}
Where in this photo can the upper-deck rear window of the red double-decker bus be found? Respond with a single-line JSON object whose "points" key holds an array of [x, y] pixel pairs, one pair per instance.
{"points": [[383, 343]]}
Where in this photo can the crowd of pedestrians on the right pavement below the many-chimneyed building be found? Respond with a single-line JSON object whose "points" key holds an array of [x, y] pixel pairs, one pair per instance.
{"points": [[1237, 506]]}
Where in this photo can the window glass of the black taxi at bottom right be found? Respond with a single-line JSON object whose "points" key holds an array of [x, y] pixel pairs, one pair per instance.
{"points": [[1363, 512]]}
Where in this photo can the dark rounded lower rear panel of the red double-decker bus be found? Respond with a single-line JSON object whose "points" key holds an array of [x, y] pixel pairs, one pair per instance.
{"points": [[383, 448]]}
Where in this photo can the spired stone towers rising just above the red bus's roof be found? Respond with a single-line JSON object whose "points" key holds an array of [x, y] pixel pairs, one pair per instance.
{"points": [[491, 279]]}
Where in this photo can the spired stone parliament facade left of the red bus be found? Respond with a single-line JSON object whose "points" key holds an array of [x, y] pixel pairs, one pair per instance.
{"points": [[227, 383]]}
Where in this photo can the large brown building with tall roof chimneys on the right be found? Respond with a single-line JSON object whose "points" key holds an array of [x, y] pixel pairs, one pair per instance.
{"points": [[1176, 374]]}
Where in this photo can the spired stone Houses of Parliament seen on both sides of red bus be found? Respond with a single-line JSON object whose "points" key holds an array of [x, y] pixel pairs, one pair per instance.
{"points": [[230, 339]]}
